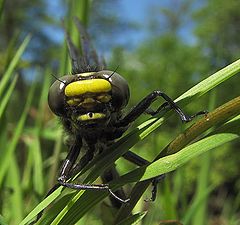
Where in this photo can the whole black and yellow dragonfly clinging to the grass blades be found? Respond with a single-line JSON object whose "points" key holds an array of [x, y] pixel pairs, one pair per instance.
{"points": [[89, 103]]}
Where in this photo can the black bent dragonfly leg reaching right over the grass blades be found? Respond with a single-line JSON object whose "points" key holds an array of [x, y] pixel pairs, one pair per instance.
{"points": [[143, 106]]}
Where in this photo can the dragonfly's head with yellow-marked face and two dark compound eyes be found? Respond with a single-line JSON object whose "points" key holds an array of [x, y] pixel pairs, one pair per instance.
{"points": [[88, 98]]}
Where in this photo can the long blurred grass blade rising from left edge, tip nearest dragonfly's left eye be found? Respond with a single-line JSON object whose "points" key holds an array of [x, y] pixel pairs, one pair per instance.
{"points": [[11, 147]]}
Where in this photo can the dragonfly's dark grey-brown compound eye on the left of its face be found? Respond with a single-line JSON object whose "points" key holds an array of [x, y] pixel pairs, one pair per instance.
{"points": [[56, 95]]}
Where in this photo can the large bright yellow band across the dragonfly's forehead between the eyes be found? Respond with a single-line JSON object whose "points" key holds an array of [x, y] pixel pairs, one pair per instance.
{"points": [[87, 86]]}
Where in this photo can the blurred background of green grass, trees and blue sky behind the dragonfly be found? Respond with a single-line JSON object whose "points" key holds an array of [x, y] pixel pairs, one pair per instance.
{"points": [[204, 191]]}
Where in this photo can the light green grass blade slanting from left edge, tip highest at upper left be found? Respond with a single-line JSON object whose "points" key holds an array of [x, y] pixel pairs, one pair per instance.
{"points": [[13, 63]]}
